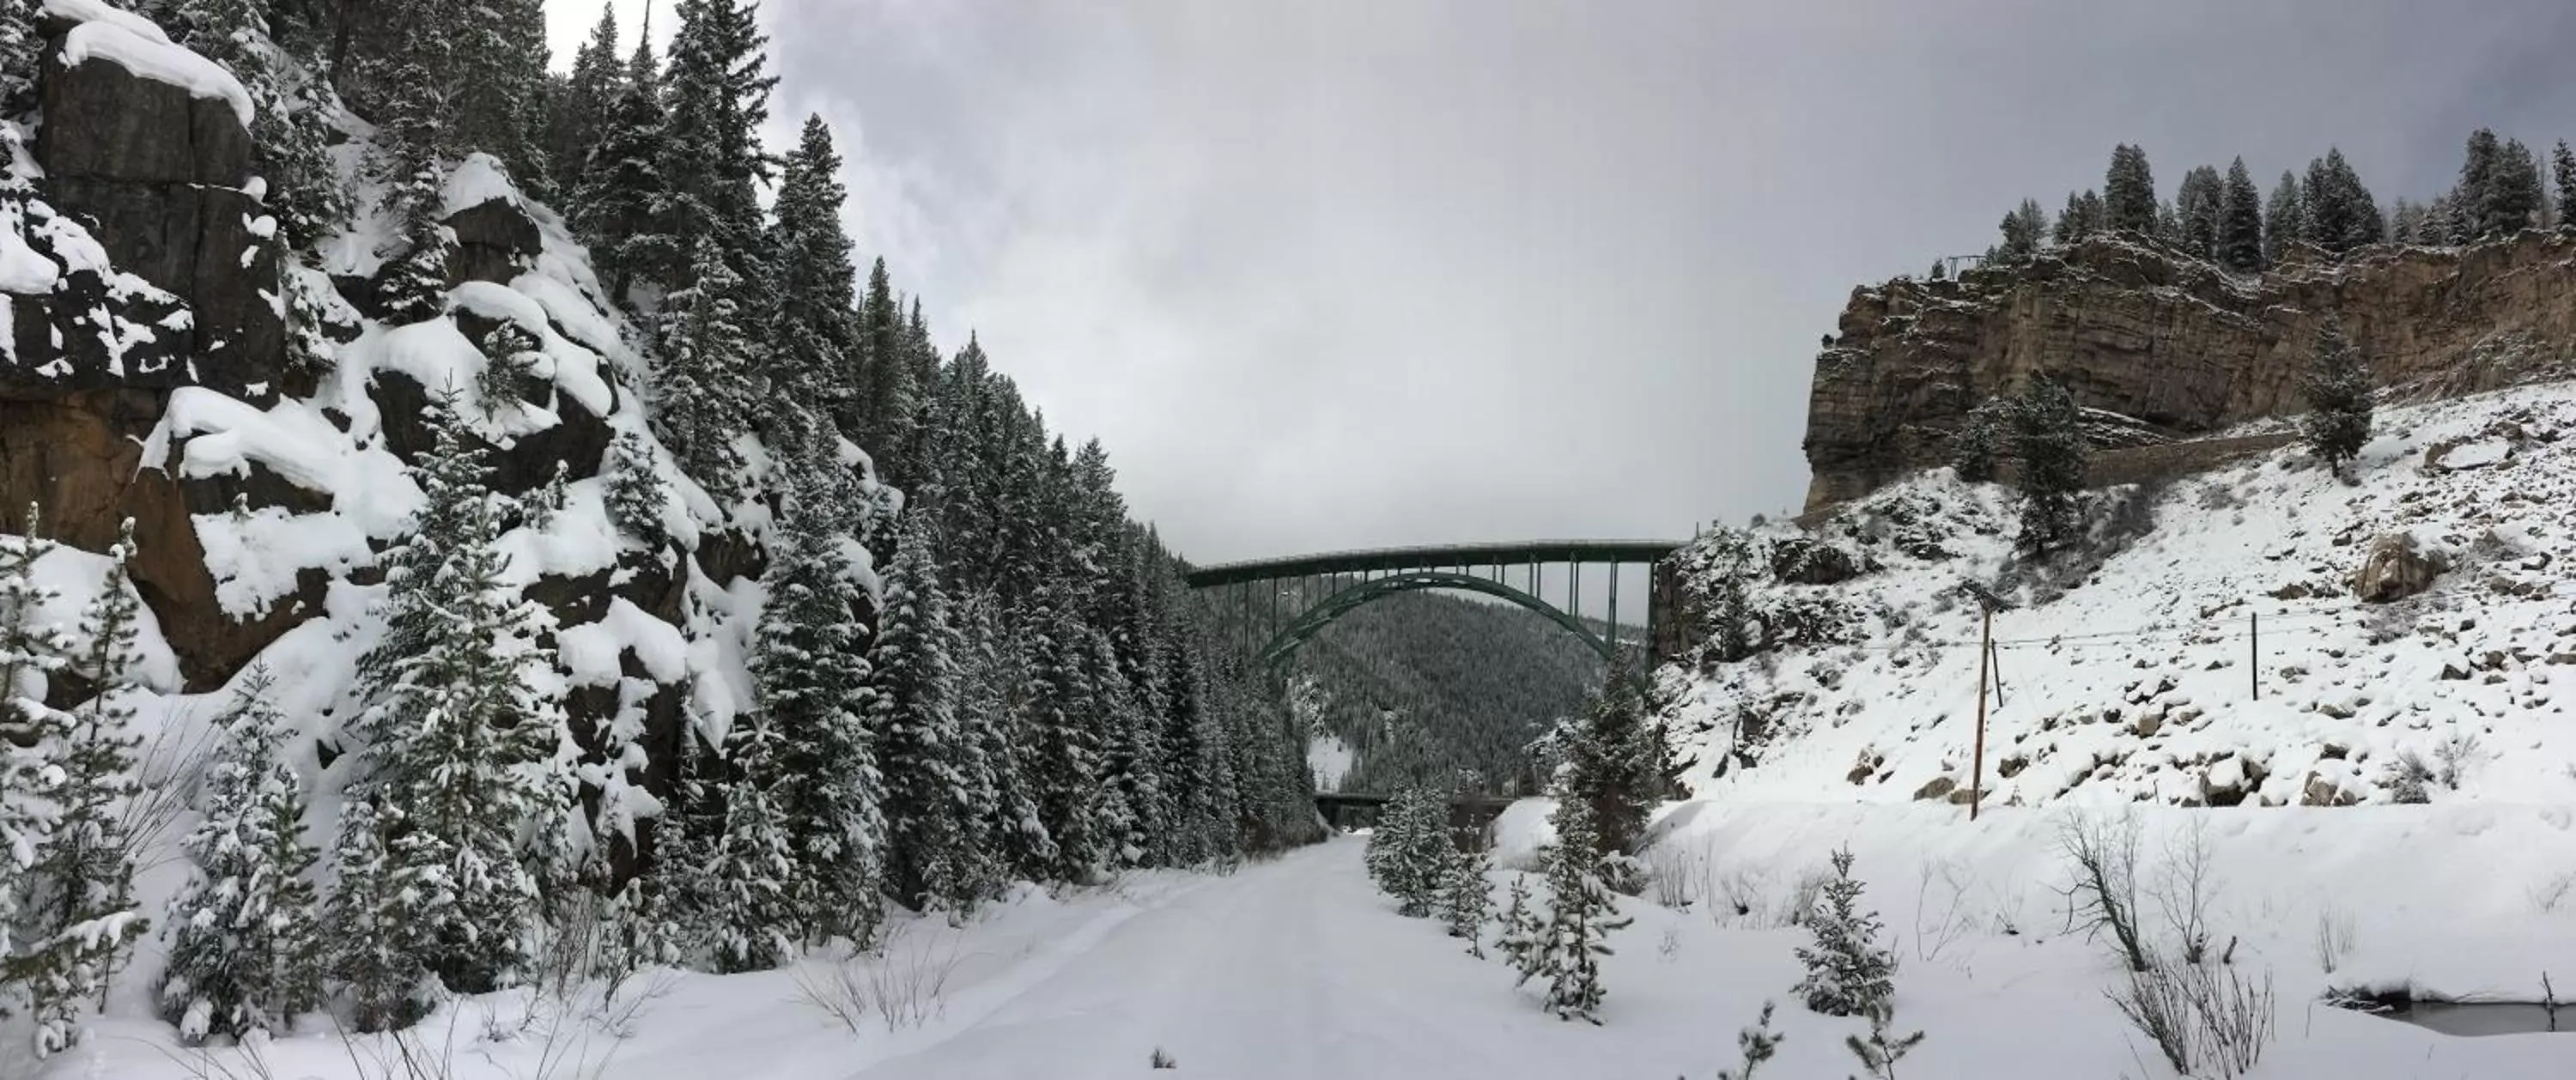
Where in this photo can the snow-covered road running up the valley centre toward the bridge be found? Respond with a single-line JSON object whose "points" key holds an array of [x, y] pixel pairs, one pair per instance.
{"points": [[1282, 970]]}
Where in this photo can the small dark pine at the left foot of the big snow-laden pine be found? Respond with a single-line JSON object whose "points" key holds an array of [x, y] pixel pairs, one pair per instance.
{"points": [[367, 934]]}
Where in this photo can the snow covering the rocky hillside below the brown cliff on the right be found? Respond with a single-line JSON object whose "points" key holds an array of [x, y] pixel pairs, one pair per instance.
{"points": [[2139, 684]]}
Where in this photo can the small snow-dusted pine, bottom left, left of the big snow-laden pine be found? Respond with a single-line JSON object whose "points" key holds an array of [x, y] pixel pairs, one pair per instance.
{"points": [[246, 934]]}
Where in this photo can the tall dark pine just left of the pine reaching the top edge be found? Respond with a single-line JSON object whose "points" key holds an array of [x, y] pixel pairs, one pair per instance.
{"points": [[622, 205]]}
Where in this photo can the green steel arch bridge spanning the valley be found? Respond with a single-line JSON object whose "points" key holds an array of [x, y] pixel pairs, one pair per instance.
{"points": [[1289, 602]]}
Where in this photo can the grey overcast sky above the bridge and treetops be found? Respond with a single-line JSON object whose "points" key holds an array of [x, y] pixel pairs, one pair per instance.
{"points": [[1400, 272]]}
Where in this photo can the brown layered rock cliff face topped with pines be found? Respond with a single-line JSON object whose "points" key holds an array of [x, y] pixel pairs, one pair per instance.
{"points": [[2170, 349]]}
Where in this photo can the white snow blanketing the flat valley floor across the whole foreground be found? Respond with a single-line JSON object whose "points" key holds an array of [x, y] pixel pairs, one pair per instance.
{"points": [[1300, 970]]}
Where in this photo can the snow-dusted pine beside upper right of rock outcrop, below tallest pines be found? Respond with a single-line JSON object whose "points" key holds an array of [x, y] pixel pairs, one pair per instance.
{"points": [[705, 380]]}
